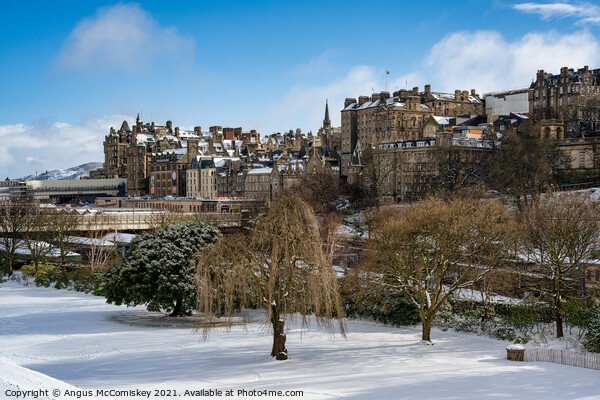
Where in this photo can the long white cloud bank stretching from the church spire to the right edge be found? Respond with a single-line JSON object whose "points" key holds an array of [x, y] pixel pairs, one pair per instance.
{"points": [[482, 60]]}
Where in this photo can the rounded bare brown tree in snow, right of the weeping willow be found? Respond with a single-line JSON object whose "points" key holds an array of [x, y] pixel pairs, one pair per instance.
{"points": [[432, 249]]}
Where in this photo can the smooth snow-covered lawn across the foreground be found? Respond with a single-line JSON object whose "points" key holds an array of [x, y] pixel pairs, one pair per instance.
{"points": [[60, 340]]}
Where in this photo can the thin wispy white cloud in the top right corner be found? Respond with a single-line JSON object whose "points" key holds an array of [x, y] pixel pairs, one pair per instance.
{"points": [[585, 13]]}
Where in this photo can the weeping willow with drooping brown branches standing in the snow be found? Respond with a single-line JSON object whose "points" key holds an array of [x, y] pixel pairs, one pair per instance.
{"points": [[283, 263]]}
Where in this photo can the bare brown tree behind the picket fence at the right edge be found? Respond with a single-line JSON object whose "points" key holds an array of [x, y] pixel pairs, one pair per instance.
{"points": [[561, 233]]}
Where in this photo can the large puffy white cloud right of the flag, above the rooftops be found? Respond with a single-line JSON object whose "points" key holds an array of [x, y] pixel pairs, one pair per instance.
{"points": [[486, 61]]}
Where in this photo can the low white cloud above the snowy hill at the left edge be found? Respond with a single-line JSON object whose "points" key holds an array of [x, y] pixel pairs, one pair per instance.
{"points": [[30, 148]]}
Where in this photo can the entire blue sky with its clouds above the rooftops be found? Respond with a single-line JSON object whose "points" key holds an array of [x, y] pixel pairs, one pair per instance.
{"points": [[72, 69]]}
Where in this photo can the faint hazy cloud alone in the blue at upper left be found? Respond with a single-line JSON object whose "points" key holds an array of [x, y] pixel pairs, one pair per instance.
{"points": [[121, 37]]}
